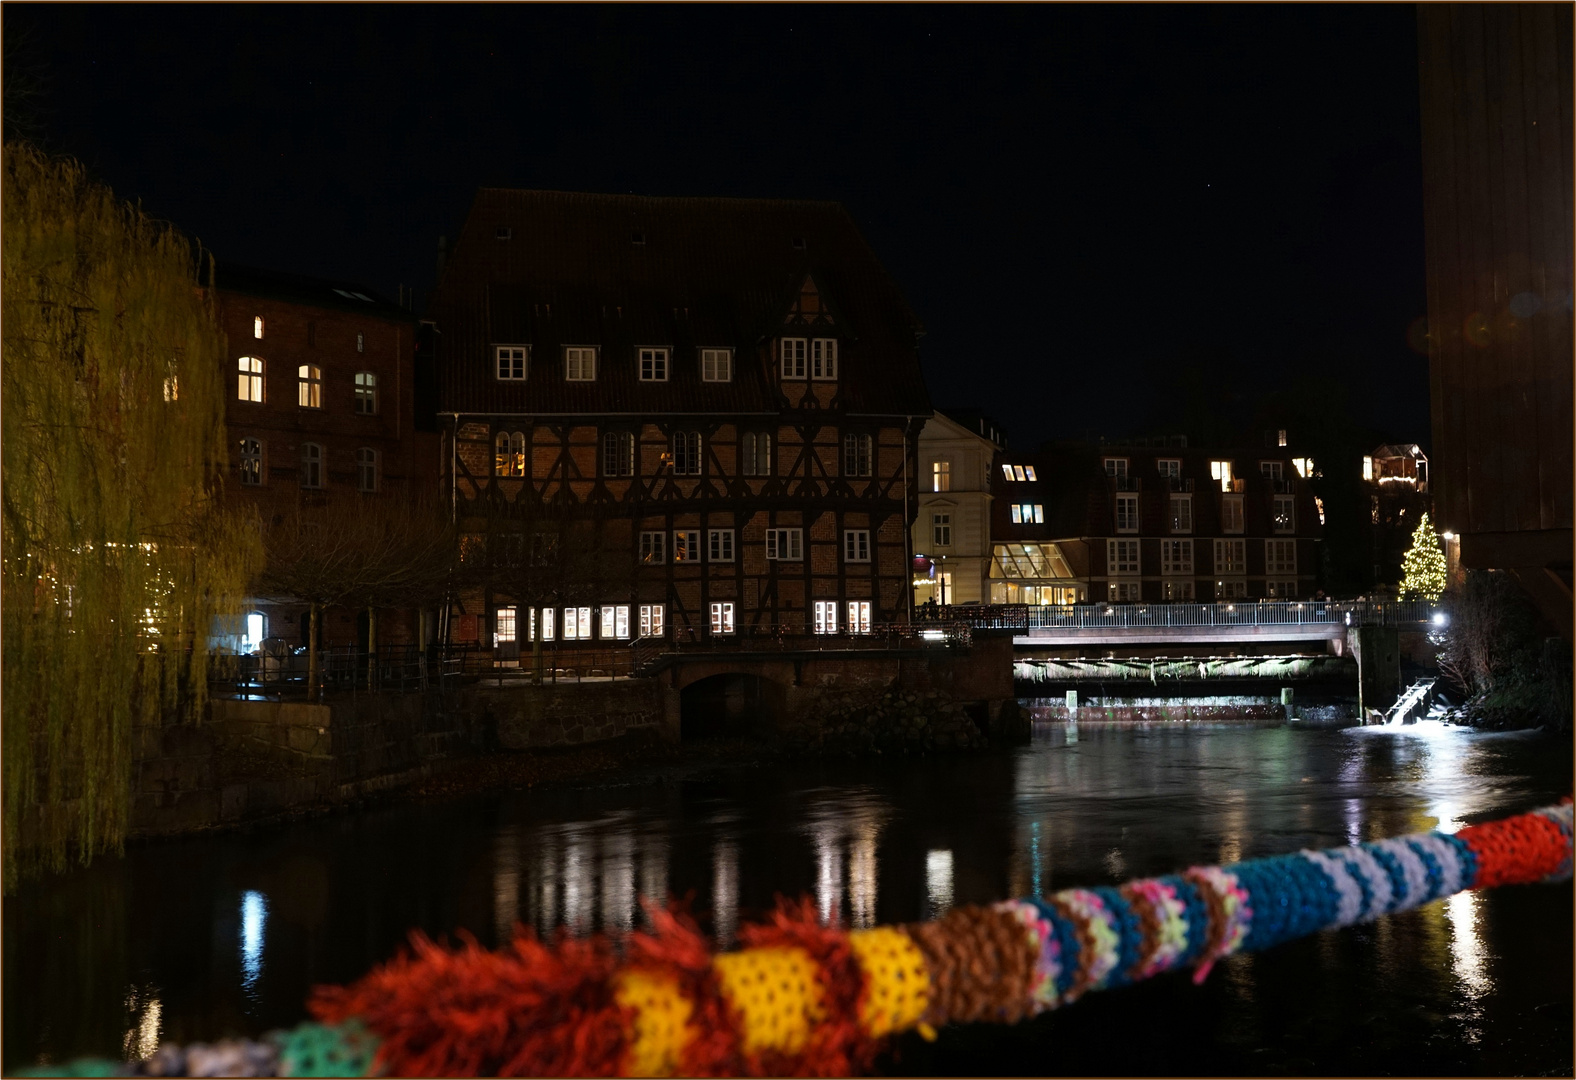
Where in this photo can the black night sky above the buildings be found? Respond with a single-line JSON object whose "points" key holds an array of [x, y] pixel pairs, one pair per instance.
{"points": [[1077, 201]]}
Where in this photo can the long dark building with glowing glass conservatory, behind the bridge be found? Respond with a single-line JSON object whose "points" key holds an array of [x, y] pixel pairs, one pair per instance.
{"points": [[1153, 521]]}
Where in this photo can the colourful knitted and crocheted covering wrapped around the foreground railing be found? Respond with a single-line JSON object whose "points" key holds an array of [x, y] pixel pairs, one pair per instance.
{"points": [[801, 999]]}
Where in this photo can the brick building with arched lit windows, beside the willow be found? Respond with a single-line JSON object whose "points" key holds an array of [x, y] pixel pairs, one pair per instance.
{"points": [[322, 408]]}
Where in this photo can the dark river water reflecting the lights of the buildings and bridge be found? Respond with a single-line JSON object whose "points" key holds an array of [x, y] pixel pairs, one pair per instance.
{"points": [[198, 939]]}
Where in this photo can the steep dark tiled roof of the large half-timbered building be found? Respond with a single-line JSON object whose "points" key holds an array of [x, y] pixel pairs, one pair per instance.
{"points": [[551, 270]]}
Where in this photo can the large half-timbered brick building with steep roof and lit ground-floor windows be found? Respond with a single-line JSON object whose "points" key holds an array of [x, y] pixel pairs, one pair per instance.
{"points": [[674, 417]]}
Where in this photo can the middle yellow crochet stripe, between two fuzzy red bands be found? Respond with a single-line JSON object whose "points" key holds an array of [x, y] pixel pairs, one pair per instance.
{"points": [[776, 994]]}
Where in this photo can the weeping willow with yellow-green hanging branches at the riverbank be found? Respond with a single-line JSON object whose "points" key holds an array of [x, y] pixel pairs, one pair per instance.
{"points": [[117, 548]]}
